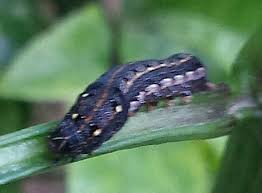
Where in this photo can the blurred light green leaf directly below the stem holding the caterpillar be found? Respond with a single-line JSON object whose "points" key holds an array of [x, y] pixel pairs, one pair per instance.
{"points": [[164, 168]]}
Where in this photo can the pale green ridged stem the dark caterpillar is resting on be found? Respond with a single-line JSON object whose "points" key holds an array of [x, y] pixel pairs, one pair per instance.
{"points": [[25, 152]]}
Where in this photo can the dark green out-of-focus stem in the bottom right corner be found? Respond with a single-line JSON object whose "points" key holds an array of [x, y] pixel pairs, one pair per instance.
{"points": [[241, 170]]}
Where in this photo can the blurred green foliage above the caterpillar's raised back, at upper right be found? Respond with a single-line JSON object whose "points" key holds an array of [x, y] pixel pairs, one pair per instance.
{"points": [[214, 32]]}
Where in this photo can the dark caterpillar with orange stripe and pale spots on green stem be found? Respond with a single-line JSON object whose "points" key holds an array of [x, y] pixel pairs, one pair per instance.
{"points": [[103, 108]]}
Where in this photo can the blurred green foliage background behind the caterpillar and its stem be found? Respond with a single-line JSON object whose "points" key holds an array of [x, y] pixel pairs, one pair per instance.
{"points": [[51, 50]]}
